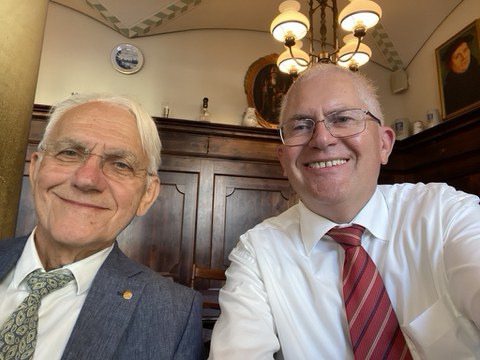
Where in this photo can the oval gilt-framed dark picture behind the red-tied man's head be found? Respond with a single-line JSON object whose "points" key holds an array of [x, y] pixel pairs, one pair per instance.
{"points": [[265, 86]]}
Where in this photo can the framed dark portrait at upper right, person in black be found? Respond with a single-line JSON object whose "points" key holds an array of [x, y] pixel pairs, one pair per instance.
{"points": [[458, 69]]}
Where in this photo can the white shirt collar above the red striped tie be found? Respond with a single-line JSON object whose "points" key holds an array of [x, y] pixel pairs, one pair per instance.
{"points": [[373, 216]]}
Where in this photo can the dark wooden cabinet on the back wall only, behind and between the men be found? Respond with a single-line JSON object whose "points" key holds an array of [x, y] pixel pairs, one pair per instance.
{"points": [[217, 181]]}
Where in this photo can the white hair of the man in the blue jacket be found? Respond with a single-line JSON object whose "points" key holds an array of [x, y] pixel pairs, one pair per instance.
{"points": [[149, 138]]}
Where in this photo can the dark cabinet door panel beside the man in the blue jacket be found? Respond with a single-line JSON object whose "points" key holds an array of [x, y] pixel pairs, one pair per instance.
{"points": [[163, 239]]}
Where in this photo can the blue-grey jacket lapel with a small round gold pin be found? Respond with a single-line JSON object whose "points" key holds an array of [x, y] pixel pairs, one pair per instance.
{"points": [[107, 310]]}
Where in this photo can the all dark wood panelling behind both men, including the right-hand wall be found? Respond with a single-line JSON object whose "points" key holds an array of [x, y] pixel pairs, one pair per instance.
{"points": [[219, 180]]}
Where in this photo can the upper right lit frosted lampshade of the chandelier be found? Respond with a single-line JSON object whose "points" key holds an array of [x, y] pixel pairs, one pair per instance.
{"points": [[363, 13]]}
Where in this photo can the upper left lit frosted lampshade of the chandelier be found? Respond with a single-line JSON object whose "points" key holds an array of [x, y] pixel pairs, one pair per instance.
{"points": [[290, 22]]}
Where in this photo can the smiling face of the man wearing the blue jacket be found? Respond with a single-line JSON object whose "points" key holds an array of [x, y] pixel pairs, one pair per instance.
{"points": [[81, 211]]}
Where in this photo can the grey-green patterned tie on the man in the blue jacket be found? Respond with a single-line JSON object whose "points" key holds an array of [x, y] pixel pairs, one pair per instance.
{"points": [[18, 335]]}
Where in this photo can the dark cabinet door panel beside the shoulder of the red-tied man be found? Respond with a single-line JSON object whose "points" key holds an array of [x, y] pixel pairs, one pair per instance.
{"points": [[239, 204]]}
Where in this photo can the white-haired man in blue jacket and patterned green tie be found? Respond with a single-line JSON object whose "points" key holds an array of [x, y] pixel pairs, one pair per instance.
{"points": [[67, 291]]}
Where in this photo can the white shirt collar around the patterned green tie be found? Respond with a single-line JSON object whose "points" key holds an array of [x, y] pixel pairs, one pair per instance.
{"points": [[84, 270]]}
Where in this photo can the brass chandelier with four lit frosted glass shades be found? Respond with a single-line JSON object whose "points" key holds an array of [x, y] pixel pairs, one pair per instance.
{"points": [[291, 26]]}
